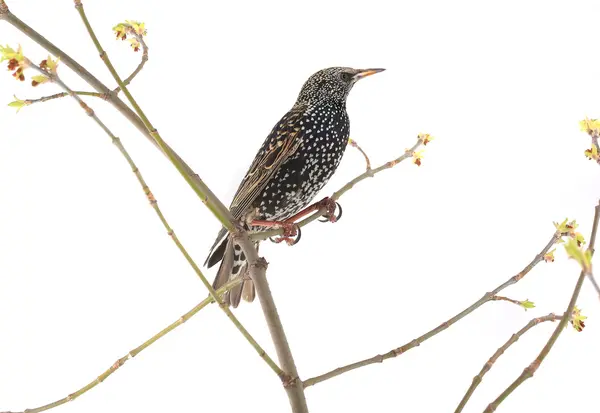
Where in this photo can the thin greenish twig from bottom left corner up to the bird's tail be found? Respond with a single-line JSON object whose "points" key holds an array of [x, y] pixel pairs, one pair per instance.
{"points": [[131, 354]]}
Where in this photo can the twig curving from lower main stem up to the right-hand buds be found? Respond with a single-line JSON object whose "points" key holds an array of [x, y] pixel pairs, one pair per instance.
{"points": [[416, 342]]}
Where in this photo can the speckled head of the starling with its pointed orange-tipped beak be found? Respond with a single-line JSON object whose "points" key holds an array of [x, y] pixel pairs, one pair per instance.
{"points": [[332, 84]]}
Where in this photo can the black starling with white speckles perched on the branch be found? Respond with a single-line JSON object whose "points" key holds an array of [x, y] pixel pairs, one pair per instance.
{"points": [[298, 157]]}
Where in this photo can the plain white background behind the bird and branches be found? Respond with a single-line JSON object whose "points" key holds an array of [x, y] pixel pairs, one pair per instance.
{"points": [[87, 272]]}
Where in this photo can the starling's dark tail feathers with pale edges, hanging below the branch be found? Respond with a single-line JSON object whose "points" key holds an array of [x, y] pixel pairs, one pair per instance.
{"points": [[233, 265]]}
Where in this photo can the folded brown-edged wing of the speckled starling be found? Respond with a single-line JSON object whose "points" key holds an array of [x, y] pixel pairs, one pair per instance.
{"points": [[282, 142]]}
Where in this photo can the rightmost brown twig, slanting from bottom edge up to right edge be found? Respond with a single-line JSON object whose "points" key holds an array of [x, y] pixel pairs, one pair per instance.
{"points": [[530, 370]]}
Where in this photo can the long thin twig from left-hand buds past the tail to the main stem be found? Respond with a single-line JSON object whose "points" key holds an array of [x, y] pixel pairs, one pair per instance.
{"points": [[90, 112]]}
